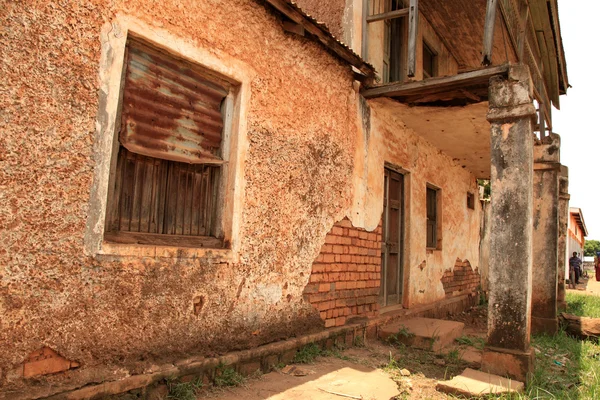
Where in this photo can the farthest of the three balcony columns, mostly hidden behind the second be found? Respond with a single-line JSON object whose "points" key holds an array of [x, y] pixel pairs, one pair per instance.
{"points": [[563, 221]]}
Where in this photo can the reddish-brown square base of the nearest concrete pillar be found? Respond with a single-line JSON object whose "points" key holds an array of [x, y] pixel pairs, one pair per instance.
{"points": [[510, 363]]}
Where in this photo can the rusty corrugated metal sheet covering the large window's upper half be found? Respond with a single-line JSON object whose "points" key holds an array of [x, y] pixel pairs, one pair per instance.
{"points": [[170, 110]]}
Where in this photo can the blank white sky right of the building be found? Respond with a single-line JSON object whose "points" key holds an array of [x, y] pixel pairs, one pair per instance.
{"points": [[576, 121]]}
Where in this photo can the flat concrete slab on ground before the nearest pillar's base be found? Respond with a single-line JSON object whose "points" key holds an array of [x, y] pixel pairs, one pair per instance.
{"points": [[472, 383]]}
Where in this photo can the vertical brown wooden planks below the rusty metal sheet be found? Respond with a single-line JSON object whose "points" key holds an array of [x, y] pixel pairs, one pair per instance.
{"points": [[163, 197]]}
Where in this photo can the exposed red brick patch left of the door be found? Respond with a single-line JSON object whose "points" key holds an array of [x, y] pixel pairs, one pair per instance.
{"points": [[345, 277]]}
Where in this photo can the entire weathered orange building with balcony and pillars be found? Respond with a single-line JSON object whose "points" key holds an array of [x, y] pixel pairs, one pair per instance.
{"points": [[196, 178]]}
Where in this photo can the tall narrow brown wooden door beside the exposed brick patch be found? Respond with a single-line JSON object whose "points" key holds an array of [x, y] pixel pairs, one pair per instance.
{"points": [[392, 249]]}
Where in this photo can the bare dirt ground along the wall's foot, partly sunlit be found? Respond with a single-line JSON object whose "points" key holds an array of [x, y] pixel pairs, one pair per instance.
{"points": [[370, 372]]}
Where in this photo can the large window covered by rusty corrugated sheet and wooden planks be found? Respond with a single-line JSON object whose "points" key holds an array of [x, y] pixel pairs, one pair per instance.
{"points": [[165, 189]]}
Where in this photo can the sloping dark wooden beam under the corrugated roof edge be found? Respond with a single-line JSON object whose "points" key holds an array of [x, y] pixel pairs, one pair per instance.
{"points": [[325, 38]]}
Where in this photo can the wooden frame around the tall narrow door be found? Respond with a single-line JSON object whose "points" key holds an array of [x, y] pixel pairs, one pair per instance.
{"points": [[404, 236]]}
